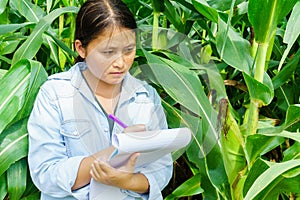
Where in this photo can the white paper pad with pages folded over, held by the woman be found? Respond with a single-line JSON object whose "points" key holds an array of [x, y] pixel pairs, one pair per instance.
{"points": [[151, 145]]}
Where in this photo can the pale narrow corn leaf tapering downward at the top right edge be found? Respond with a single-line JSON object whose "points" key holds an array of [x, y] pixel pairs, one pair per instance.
{"points": [[292, 32]]}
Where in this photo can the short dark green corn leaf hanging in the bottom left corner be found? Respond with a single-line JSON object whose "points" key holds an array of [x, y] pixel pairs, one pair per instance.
{"points": [[16, 179]]}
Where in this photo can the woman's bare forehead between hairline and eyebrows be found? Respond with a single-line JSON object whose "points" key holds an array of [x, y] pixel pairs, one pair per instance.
{"points": [[115, 37]]}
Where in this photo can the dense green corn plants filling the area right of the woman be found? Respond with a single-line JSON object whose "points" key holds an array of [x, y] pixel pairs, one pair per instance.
{"points": [[246, 140]]}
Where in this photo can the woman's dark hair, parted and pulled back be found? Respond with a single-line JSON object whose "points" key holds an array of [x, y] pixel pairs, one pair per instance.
{"points": [[95, 16]]}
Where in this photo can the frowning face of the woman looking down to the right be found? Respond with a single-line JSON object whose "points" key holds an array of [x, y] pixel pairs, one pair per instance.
{"points": [[111, 54]]}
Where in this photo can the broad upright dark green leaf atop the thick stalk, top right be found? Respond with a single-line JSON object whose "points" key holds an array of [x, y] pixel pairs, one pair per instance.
{"points": [[264, 15]]}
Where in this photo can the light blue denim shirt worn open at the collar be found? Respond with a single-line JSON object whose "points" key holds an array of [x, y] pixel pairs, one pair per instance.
{"points": [[67, 124]]}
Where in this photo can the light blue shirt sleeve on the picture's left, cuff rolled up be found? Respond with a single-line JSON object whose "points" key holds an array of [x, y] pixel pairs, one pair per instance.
{"points": [[52, 171]]}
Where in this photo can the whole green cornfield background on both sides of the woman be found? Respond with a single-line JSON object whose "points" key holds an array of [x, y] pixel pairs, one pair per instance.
{"points": [[229, 70]]}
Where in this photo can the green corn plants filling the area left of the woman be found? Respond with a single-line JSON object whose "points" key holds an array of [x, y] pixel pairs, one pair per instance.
{"points": [[31, 44]]}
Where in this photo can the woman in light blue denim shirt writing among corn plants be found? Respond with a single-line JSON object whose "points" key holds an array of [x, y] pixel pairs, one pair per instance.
{"points": [[69, 129]]}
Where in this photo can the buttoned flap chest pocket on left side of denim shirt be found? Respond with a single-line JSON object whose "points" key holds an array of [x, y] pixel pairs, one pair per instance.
{"points": [[76, 136]]}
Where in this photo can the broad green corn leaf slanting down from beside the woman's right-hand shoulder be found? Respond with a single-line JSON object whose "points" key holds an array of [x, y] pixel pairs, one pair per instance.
{"points": [[179, 83]]}
